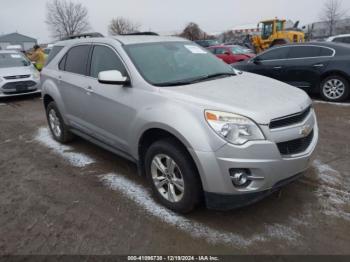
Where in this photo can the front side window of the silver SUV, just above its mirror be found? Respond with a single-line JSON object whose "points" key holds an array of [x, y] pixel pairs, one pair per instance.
{"points": [[104, 59]]}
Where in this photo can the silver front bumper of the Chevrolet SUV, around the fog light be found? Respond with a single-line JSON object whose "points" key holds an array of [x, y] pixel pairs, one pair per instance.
{"points": [[264, 161]]}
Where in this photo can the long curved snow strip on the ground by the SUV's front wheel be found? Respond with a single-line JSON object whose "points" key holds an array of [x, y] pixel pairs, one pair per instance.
{"points": [[143, 198]]}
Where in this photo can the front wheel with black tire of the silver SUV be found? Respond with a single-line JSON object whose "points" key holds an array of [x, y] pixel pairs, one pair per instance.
{"points": [[184, 170]]}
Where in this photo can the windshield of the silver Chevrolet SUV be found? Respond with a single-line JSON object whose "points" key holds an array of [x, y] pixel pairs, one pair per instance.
{"points": [[175, 62]]}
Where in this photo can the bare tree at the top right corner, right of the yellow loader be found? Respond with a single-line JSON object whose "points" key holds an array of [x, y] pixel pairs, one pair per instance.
{"points": [[332, 13]]}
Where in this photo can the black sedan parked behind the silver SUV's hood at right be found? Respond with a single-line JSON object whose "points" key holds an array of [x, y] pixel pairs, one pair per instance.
{"points": [[314, 67]]}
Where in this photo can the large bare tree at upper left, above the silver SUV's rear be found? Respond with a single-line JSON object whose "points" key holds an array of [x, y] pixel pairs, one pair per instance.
{"points": [[65, 18]]}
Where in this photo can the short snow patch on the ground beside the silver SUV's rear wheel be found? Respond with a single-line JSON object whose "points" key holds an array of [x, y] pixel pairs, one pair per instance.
{"points": [[76, 159]]}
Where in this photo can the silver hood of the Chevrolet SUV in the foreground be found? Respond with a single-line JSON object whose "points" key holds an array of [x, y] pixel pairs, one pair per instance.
{"points": [[259, 98]]}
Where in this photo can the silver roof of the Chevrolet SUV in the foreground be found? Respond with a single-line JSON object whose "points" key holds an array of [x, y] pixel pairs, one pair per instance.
{"points": [[125, 39]]}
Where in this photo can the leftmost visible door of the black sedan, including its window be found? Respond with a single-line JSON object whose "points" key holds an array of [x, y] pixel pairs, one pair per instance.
{"points": [[271, 63]]}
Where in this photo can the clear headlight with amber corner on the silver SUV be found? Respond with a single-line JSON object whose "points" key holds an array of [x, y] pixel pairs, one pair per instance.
{"points": [[235, 129]]}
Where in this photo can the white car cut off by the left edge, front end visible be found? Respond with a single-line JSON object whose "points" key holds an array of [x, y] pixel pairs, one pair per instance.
{"points": [[18, 76]]}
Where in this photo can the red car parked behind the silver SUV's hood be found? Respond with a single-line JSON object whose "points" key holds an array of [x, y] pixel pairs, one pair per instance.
{"points": [[231, 53]]}
